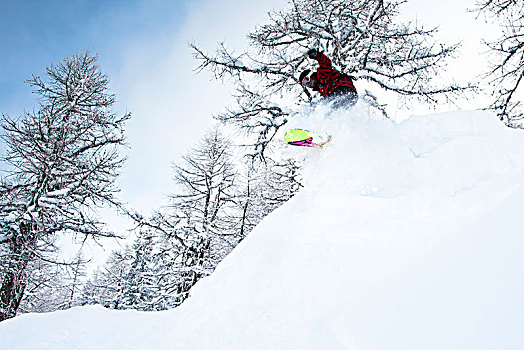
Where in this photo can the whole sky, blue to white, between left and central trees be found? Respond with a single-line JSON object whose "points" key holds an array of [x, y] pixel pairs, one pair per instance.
{"points": [[143, 48]]}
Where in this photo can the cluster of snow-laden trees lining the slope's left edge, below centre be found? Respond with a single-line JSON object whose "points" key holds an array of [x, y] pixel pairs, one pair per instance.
{"points": [[216, 205]]}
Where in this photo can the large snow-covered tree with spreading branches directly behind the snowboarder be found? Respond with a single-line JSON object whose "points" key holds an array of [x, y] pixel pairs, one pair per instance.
{"points": [[364, 38]]}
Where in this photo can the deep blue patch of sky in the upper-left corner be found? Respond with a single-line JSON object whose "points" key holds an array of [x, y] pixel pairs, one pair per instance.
{"points": [[35, 33]]}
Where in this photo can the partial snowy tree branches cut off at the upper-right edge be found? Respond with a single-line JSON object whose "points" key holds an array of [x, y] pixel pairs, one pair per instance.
{"points": [[507, 70]]}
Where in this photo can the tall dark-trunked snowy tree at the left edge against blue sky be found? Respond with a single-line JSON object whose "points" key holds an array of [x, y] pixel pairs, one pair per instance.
{"points": [[62, 159]]}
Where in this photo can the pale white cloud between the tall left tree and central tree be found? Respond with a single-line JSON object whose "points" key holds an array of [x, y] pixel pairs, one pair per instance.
{"points": [[172, 105]]}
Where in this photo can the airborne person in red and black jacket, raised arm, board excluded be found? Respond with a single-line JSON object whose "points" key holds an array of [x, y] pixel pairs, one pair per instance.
{"points": [[329, 82]]}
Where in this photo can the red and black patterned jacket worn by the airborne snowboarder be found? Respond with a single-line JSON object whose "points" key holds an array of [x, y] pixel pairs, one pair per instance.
{"points": [[328, 80]]}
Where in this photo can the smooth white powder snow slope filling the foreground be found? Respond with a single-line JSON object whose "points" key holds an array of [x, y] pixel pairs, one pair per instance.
{"points": [[406, 236]]}
